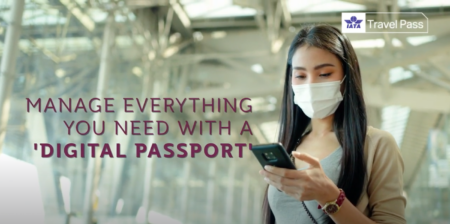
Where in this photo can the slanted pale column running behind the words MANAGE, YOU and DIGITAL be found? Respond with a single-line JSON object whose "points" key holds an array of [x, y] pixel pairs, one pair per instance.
{"points": [[94, 163]]}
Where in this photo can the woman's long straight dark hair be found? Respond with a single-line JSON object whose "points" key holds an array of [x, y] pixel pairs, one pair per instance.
{"points": [[350, 120]]}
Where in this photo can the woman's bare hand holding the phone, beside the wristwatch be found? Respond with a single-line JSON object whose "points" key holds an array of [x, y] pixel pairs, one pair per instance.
{"points": [[304, 185]]}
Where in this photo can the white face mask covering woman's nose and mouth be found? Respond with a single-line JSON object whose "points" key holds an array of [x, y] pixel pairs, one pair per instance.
{"points": [[318, 100]]}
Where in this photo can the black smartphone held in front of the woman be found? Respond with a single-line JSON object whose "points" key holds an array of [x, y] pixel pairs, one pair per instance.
{"points": [[273, 154]]}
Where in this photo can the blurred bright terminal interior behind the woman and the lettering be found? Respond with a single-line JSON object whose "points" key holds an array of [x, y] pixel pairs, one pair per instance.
{"points": [[204, 48]]}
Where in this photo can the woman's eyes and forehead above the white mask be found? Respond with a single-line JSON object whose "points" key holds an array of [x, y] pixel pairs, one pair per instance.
{"points": [[315, 65]]}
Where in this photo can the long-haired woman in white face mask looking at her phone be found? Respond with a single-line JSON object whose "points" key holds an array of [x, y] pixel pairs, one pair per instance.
{"points": [[347, 172]]}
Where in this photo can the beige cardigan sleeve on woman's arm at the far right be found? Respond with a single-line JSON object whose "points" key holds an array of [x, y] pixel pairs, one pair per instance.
{"points": [[385, 187]]}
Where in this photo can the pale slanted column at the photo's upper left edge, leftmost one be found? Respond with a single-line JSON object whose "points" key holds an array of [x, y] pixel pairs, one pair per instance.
{"points": [[8, 64]]}
